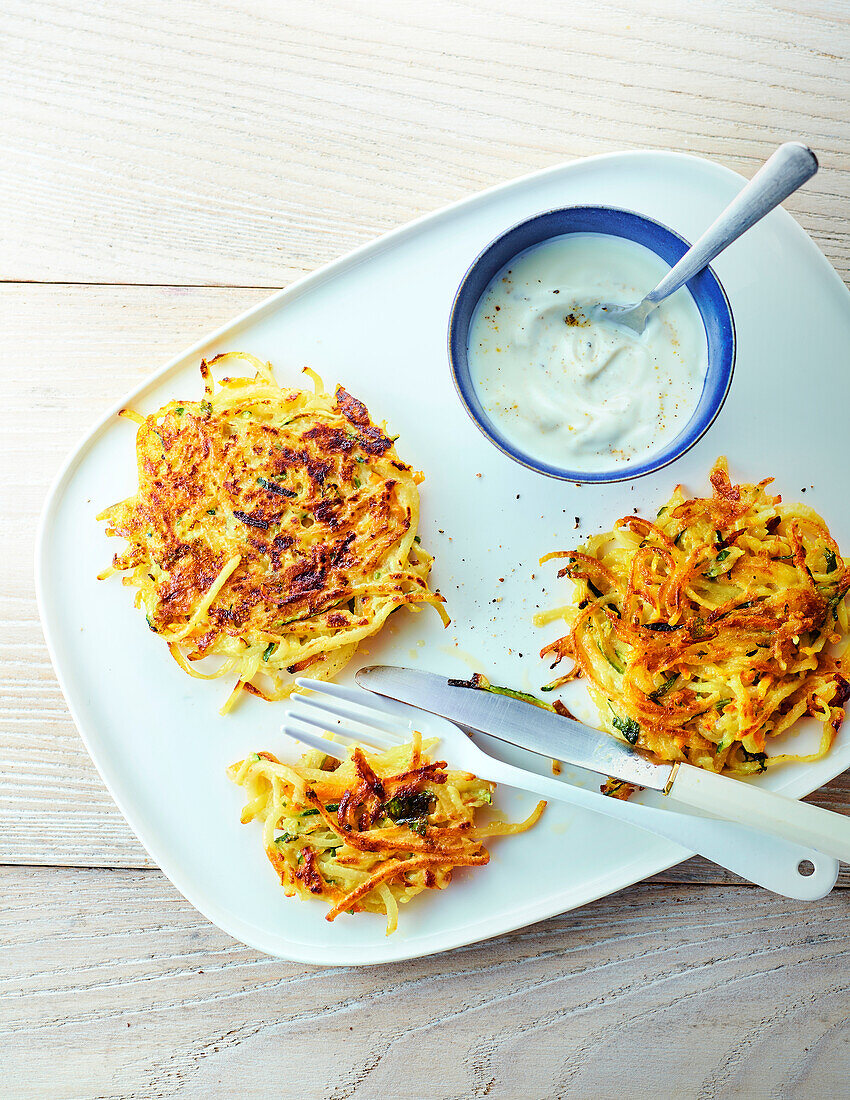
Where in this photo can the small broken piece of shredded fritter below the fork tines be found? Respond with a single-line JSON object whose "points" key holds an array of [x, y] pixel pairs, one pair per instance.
{"points": [[373, 832]]}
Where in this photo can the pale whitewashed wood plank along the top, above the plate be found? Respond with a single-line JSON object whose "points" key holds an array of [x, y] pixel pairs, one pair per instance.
{"points": [[148, 142]]}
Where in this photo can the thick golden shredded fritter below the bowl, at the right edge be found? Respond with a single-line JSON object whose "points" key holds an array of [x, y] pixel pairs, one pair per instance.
{"points": [[709, 633]]}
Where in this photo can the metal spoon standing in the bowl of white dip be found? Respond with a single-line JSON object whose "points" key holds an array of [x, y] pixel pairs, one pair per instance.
{"points": [[780, 177]]}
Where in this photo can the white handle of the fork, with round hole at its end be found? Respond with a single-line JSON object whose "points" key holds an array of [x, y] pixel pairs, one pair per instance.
{"points": [[768, 862]]}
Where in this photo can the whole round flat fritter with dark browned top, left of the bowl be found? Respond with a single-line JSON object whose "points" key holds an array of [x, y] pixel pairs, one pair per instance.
{"points": [[273, 530]]}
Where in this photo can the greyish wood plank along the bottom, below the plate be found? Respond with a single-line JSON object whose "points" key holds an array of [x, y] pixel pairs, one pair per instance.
{"points": [[650, 993]]}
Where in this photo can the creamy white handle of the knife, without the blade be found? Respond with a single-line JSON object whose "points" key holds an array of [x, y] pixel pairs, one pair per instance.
{"points": [[731, 799]]}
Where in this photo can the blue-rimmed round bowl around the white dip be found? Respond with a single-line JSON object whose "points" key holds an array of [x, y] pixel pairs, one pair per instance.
{"points": [[705, 289]]}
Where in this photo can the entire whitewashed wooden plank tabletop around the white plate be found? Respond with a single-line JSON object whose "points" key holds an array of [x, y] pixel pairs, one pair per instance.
{"points": [[164, 166]]}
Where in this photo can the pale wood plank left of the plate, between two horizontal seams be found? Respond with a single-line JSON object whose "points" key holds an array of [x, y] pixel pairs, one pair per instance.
{"points": [[72, 353]]}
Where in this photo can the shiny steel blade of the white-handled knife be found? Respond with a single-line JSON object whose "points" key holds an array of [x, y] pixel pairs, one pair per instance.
{"points": [[510, 720]]}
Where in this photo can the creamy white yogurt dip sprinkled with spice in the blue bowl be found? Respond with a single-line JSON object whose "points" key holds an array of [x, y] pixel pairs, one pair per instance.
{"points": [[586, 395]]}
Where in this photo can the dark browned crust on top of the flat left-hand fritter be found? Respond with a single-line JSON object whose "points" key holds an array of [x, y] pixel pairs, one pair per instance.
{"points": [[306, 530]]}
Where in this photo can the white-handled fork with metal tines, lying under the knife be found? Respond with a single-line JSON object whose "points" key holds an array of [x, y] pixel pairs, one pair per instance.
{"points": [[359, 717]]}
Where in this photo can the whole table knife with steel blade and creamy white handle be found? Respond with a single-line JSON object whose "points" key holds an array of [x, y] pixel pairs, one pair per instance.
{"points": [[551, 735]]}
